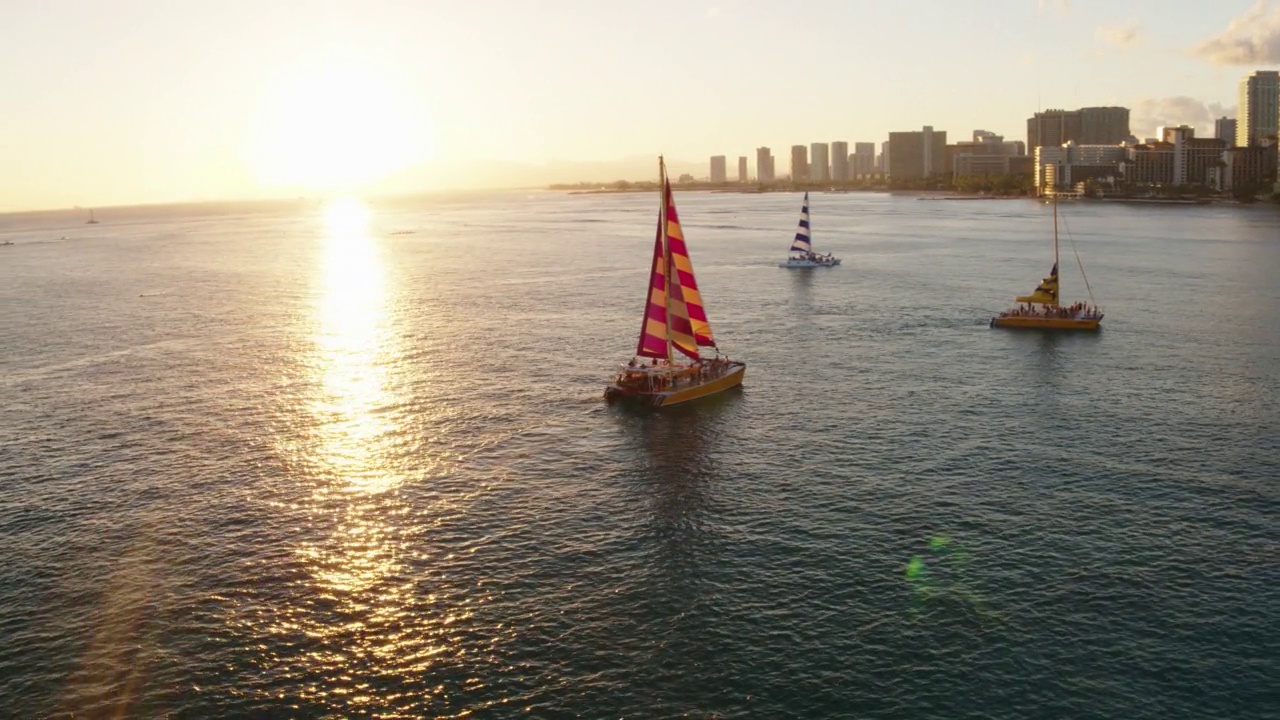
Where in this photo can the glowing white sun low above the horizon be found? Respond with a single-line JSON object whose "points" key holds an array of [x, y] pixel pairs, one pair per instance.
{"points": [[336, 129]]}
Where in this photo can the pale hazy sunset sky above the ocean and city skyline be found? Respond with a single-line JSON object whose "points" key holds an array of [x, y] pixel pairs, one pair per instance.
{"points": [[131, 102]]}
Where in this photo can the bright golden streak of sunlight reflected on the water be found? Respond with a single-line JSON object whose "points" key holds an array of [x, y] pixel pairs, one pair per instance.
{"points": [[360, 608]]}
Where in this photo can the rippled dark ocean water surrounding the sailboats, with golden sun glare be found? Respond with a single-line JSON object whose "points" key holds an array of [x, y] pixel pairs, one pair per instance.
{"points": [[326, 462]]}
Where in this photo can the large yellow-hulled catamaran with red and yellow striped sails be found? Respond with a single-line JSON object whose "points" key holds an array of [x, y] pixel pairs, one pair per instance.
{"points": [[670, 367]]}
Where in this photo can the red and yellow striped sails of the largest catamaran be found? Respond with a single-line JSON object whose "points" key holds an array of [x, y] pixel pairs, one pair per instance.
{"points": [[675, 311]]}
